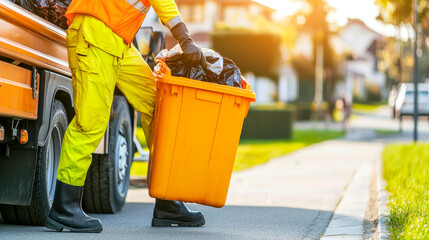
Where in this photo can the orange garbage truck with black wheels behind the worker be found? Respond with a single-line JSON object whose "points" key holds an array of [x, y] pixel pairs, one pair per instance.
{"points": [[36, 106]]}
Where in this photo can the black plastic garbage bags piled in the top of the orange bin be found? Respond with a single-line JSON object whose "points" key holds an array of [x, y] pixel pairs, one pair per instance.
{"points": [[219, 69]]}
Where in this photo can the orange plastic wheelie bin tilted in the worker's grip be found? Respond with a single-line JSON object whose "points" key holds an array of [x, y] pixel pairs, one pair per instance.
{"points": [[195, 135]]}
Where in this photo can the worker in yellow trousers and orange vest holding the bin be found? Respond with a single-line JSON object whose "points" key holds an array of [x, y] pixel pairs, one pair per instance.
{"points": [[101, 57]]}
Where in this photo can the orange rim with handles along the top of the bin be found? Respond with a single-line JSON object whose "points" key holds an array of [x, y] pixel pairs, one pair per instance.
{"points": [[163, 74]]}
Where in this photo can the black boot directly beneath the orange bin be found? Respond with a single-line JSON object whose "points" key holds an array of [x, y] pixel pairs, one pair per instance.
{"points": [[174, 213]]}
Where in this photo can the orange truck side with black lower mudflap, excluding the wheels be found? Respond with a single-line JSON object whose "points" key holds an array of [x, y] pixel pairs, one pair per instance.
{"points": [[33, 74]]}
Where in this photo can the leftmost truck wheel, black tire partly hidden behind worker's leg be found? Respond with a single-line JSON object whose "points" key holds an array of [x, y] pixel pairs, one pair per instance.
{"points": [[45, 178]]}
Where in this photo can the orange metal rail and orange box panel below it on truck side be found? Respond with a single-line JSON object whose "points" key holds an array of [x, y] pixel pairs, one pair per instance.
{"points": [[30, 40]]}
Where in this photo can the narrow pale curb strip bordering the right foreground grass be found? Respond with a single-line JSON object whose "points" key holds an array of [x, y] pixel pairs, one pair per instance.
{"points": [[383, 201]]}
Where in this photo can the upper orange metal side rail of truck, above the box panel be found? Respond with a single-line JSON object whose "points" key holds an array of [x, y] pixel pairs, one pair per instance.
{"points": [[32, 40]]}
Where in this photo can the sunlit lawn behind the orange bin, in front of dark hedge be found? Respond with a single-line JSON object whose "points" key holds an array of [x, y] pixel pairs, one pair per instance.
{"points": [[254, 152]]}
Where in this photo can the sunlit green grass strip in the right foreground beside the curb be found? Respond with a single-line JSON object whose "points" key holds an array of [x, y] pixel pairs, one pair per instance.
{"points": [[406, 170]]}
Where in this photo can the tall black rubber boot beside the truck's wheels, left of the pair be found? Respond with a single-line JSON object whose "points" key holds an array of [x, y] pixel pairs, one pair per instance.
{"points": [[66, 211]]}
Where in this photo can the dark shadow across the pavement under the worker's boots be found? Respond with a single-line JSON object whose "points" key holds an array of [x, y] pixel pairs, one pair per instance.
{"points": [[229, 222]]}
